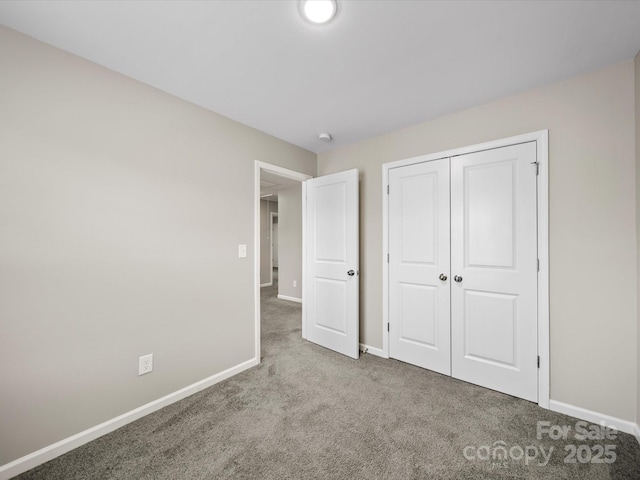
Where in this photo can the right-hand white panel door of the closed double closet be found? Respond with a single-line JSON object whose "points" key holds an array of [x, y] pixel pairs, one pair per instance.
{"points": [[494, 269]]}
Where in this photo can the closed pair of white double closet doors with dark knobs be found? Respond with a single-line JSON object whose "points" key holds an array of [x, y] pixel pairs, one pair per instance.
{"points": [[463, 267]]}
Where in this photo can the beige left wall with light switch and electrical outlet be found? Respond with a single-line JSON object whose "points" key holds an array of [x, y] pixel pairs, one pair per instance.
{"points": [[121, 211]]}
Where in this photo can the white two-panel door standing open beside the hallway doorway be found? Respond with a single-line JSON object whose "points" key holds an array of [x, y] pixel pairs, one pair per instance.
{"points": [[331, 303]]}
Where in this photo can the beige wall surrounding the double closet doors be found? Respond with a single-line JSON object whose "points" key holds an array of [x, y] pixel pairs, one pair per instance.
{"points": [[592, 222]]}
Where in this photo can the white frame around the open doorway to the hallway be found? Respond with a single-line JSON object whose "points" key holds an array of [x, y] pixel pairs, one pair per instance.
{"points": [[284, 172]]}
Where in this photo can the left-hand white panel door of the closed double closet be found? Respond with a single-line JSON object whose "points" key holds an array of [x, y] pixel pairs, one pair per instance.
{"points": [[419, 317]]}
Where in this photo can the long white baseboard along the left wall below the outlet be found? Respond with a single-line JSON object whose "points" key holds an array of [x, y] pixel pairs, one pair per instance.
{"points": [[50, 452]]}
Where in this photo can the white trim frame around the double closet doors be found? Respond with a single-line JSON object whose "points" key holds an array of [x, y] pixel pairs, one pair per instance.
{"points": [[542, 157]]}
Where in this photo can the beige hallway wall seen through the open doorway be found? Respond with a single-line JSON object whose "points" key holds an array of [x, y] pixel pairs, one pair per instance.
{"points": [[290, 242]]}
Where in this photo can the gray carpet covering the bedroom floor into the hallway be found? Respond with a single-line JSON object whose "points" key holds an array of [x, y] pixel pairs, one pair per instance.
{"points": [[306, 412]]}
